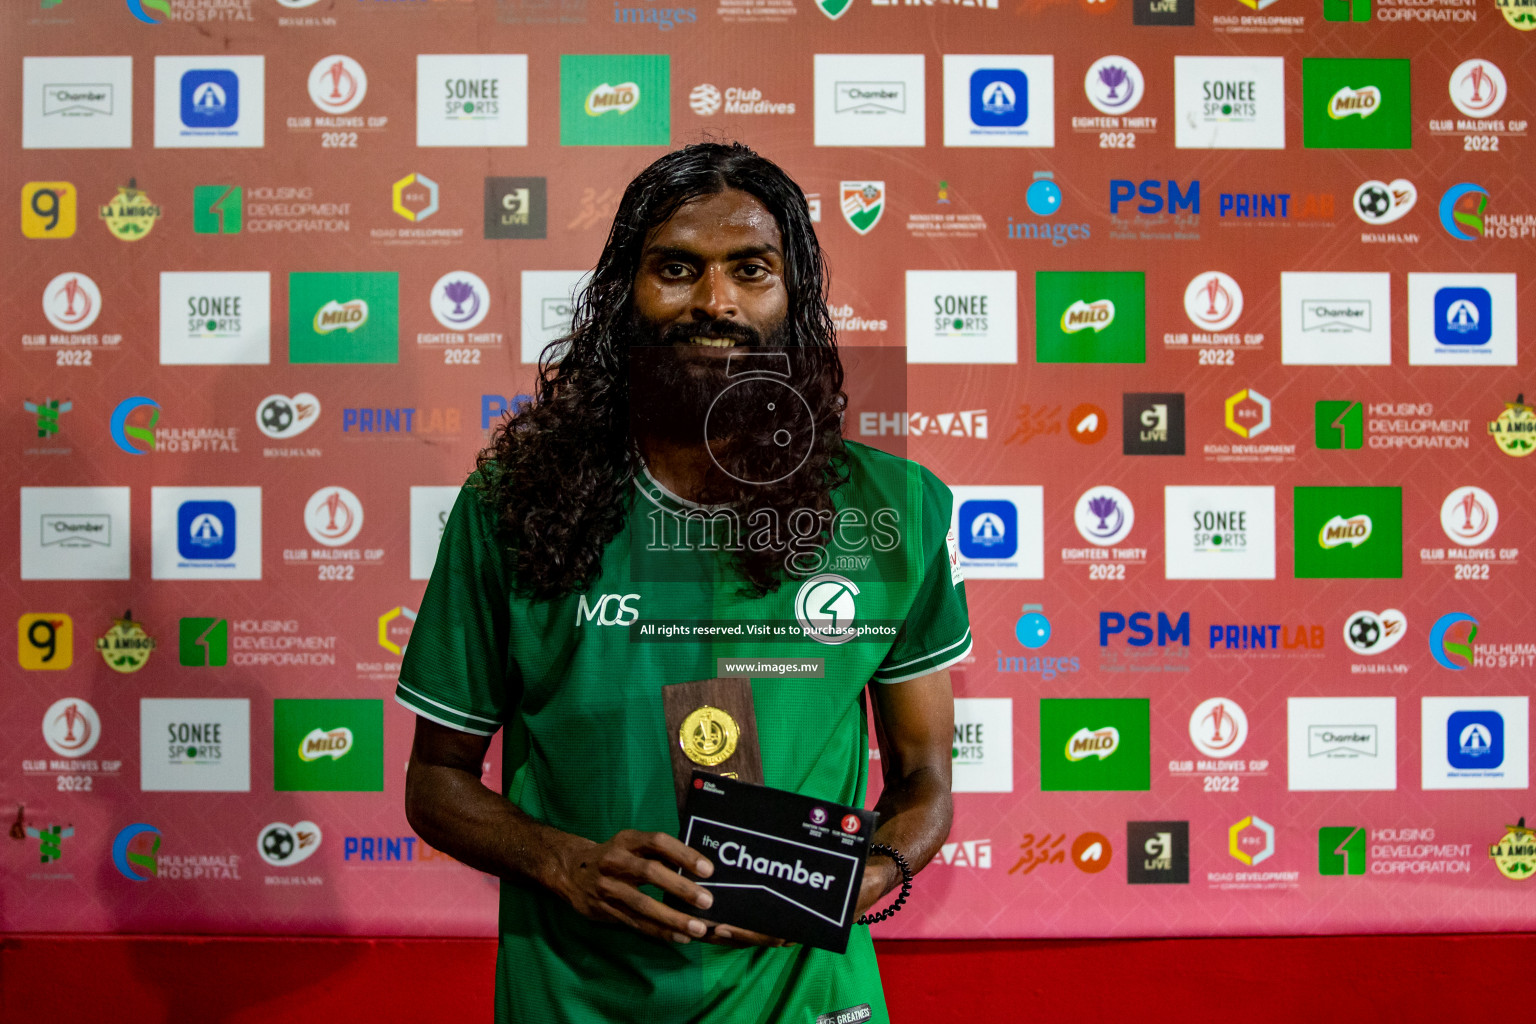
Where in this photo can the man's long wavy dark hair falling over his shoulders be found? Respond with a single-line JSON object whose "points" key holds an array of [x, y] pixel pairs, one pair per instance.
{"points": [[560, 471]]}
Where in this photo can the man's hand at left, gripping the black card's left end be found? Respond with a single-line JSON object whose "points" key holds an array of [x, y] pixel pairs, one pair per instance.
{"points": [[603, 880]]}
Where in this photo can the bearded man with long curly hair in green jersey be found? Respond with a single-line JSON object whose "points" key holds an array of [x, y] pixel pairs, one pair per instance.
{"points": [[683, 463]]}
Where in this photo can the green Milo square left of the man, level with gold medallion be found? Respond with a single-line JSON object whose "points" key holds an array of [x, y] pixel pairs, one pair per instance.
{"points": [[328, 745]]}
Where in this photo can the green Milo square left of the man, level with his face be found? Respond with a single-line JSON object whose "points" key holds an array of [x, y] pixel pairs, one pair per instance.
{"points": [[345, 317]]}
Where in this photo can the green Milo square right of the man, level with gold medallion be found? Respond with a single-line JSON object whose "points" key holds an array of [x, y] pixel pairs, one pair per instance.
{"points": [[1096, 745]]}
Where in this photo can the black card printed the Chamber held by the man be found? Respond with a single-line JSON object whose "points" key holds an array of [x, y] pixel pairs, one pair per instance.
{"points": [[784, 865]]}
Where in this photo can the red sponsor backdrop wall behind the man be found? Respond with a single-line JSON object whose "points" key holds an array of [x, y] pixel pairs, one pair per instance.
{"points": [[1428, 848]]}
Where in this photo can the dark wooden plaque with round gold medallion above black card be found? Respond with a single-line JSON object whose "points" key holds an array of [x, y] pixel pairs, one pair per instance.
{"points": [[712, 727]]}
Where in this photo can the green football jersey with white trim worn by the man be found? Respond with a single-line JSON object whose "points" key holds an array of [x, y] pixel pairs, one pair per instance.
{"points": [[577, 684]]}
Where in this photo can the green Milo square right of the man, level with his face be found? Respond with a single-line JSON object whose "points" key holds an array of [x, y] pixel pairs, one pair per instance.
{"points": [[1091, 317]]}
